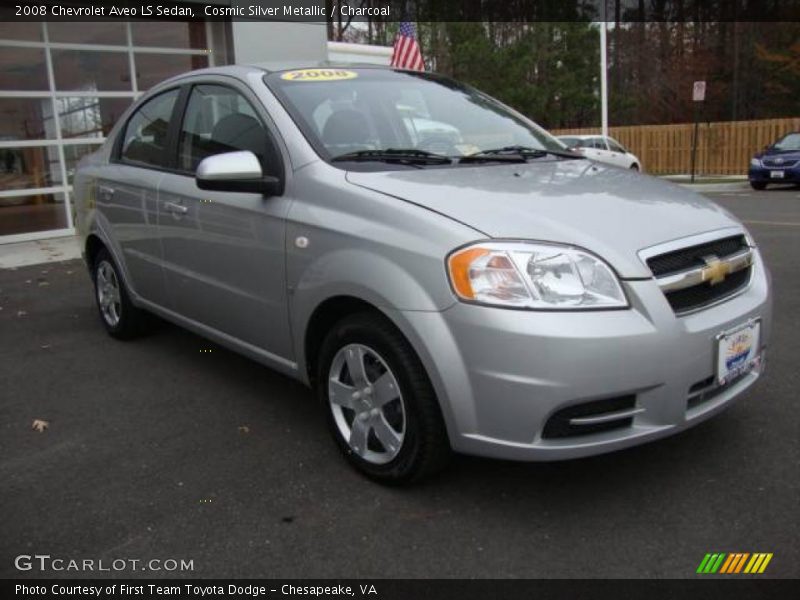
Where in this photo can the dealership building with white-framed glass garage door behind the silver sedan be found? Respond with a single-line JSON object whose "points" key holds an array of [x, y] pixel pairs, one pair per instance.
{"points": [[63, 85]]}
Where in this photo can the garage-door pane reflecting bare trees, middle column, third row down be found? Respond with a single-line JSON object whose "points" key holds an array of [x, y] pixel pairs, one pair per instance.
{"points": [[89, 117]]}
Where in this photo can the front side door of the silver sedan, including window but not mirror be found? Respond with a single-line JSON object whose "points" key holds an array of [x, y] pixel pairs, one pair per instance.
{"points": [[224, 261]]}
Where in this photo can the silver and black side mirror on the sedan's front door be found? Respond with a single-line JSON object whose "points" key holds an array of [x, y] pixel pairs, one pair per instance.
{"points": [[236, 172]]}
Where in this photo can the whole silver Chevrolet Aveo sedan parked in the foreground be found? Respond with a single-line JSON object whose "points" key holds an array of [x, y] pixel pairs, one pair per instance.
{"points": [[471, 286]]}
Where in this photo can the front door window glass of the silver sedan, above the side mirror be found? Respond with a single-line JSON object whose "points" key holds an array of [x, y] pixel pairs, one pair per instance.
{"points": [[218, 119]]}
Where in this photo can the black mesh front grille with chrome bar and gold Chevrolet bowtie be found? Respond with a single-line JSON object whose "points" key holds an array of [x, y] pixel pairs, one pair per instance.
{"points": [[698, 276]]}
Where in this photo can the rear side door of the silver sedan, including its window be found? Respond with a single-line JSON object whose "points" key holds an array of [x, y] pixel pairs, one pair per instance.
{"points": [[126, 193]]}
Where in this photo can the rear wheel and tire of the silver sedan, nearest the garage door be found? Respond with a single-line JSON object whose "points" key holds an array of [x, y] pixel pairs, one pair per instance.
{"points": [[121, 319]]}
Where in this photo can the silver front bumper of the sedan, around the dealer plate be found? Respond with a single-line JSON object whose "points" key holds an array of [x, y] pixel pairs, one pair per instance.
{"points": [[502, 374]]}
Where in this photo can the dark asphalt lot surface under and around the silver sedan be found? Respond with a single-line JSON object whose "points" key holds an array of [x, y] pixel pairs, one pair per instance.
{"points": [[160, 449]]}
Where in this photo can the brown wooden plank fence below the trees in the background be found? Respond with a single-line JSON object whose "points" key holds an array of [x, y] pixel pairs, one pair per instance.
{"points": [[723, 148]]}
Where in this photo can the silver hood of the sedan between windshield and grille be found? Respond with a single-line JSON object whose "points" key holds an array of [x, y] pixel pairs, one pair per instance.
{"points": [[612, 212]]}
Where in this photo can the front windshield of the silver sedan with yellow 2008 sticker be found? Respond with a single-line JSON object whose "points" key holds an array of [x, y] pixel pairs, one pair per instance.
{"points": [[350, 111]]}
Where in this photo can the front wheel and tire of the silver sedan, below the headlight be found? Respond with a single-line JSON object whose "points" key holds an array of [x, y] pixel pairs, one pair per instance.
{"points": [[381, 407]]}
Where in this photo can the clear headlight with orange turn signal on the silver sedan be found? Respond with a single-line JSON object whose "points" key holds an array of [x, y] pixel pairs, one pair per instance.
{"points": [[534, 275]]}
